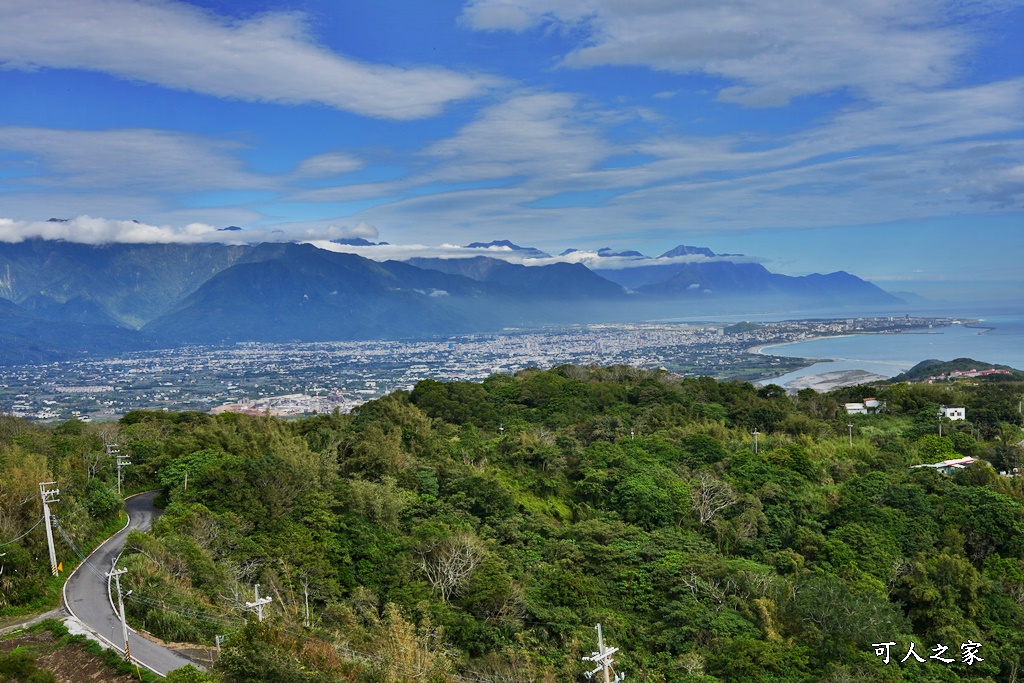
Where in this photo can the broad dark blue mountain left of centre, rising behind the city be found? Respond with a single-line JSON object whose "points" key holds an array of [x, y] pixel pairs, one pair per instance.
{"points": [[302, 293]]}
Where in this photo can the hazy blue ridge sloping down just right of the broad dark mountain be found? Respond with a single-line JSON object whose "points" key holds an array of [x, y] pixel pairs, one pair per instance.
{"points": [[561, 281]]}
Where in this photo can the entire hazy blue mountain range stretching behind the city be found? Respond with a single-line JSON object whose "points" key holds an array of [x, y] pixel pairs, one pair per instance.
{"points": [[59, 300]]}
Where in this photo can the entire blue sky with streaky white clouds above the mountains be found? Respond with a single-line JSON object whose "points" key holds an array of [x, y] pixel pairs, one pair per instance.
{"points": [[883, 139]]}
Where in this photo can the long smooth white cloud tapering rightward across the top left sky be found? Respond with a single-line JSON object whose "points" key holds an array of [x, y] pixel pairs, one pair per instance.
{"points": [[270, 58]]}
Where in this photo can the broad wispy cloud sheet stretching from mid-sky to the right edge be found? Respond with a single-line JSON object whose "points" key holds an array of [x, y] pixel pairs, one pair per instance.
{"points": [[921, 154]]}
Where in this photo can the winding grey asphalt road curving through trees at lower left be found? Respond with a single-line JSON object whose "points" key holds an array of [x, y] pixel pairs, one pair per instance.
{"points": [[88, 593]]}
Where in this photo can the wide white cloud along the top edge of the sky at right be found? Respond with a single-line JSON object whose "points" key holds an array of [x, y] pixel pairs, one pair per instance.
{"points": [[771, 51]]}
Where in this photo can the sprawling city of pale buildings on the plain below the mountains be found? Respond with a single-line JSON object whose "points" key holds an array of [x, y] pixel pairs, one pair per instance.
{"points": [[304, 378]]}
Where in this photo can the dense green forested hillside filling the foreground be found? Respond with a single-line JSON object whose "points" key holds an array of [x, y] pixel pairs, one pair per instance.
{"points": [[484, 530]]}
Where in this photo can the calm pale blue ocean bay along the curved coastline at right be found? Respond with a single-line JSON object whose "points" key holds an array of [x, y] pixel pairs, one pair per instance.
{"points": [[891, 355]]}
